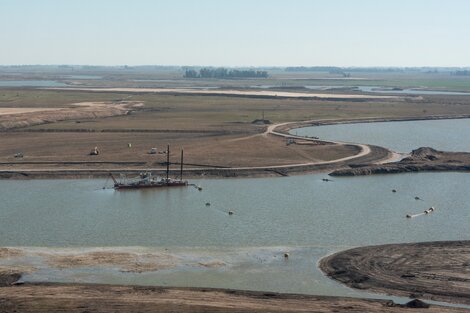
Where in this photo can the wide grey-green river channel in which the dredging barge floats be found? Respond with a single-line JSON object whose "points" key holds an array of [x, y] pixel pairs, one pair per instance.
{"points": [[301, 215]]}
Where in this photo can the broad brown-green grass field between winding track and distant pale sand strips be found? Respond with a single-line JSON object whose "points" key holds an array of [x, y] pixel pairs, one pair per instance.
{"points": [[214, 130]]}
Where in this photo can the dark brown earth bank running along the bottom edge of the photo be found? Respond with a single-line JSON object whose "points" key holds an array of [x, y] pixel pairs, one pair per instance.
{"points": [[36, 297]]}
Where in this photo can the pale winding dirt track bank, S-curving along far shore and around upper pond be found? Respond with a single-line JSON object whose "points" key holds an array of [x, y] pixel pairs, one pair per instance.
{"points": [[377, 155]]}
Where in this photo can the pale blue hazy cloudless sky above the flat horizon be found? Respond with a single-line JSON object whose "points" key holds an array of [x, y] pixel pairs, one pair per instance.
{"points": [[236, 32]]}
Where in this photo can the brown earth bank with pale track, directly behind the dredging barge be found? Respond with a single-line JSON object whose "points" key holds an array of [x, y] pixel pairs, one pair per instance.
{"points": [[57, 169]]}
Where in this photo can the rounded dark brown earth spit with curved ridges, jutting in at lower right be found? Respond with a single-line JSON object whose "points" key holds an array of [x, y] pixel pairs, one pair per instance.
{"points": [[428, 270]]}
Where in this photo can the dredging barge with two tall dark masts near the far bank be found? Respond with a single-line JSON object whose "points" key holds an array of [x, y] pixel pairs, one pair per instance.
{"points": [[147, 180]]}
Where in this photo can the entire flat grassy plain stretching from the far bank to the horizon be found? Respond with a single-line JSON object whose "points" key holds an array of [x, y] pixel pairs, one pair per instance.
{"points": [[213, 129]]}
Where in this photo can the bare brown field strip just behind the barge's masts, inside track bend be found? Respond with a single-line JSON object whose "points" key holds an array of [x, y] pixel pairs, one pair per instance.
{"points": [[204, 149]]}
